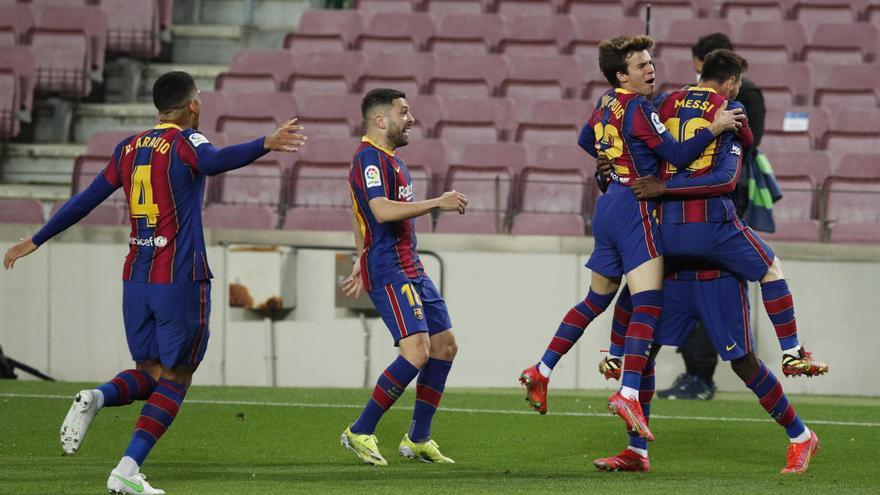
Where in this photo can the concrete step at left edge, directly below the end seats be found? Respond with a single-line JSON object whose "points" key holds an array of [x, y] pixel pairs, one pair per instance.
{"points": [[30, 163]]}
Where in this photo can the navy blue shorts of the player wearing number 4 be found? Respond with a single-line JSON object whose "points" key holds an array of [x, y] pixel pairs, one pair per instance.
{"points": [[168, 322]]}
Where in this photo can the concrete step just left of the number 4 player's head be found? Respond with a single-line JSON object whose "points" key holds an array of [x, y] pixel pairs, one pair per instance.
{"points": [[93, 117]]}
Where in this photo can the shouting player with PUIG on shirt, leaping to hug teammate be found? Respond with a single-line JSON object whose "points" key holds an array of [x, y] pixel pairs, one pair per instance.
{"points": [[626, 127]]}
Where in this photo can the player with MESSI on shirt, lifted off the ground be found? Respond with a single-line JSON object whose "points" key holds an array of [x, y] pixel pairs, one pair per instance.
{"points": [[697, 216]]}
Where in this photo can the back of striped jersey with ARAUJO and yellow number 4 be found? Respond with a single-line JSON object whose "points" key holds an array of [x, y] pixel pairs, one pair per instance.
{"points": [[157, 170]]}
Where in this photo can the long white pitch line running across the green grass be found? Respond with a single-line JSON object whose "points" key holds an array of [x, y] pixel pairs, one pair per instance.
{"points": [[318, 405]]}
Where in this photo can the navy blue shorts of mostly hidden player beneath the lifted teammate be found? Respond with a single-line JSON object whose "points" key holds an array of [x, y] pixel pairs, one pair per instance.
{"points": [[721, 304]]}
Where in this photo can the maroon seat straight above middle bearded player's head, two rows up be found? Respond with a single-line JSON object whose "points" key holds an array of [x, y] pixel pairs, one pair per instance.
{"points": [[396, 32]]}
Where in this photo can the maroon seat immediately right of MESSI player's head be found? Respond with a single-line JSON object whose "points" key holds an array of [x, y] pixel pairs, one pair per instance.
{"points": [[783, 83]]}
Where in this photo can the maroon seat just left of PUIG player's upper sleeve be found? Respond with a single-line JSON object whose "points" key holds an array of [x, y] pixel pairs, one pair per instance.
{"points": [[553, 121]]}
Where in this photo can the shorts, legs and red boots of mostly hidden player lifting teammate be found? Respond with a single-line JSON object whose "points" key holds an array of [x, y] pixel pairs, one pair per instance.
{"points": [[701, 292]]}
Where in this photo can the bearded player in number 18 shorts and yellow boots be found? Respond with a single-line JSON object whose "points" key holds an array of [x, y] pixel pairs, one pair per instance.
{"points": [[389, 269]]}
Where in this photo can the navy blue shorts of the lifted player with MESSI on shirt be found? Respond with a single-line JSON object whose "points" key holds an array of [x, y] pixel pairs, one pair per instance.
{"points": [[732, 246]]}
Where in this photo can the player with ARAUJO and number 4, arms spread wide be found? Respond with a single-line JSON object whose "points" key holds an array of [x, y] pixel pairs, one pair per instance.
{"points": [[166, 295]]}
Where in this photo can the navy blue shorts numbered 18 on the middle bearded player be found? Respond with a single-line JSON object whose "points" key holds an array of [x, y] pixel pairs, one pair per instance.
{"points": [[409, 306]]}
